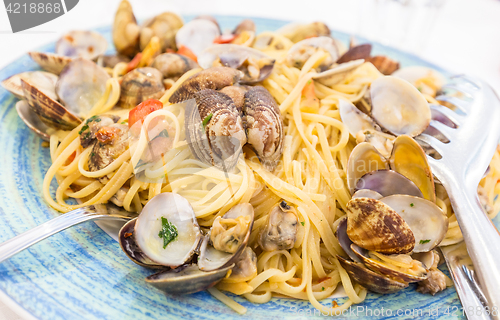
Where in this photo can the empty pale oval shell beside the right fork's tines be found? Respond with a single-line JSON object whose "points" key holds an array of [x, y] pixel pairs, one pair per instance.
{"points": [[399, 107]]}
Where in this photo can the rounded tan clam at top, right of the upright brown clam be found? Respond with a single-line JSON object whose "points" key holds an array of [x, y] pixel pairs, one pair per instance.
{"points": [[165, 26]]}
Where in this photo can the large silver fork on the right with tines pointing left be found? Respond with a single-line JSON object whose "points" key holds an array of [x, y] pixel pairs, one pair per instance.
{"points": [[464, 160]]}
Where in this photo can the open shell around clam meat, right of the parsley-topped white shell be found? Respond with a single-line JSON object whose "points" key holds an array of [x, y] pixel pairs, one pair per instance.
{"points": [[211, 259]]}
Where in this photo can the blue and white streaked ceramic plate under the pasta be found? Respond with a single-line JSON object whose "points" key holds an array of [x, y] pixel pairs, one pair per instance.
{"points": [[82, 272]]}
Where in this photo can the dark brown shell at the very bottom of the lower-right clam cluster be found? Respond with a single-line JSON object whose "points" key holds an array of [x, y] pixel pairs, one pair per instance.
{"points": [[372, 281]]}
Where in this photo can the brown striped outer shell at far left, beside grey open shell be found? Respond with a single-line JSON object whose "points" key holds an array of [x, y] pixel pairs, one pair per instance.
{"points": [[51, 112]]}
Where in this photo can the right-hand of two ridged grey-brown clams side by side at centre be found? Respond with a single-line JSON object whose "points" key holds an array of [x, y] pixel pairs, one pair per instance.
{"points": [[264, 126]]}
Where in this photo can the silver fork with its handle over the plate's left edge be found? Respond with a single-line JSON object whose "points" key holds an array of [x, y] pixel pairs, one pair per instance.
{"points": [[93, 212]]}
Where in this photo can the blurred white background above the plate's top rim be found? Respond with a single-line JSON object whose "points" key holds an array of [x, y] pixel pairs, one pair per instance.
{"points": [[459, 35]]}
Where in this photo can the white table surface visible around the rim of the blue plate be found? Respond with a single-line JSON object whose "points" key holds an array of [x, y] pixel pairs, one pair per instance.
{"points": [[464, 38]]}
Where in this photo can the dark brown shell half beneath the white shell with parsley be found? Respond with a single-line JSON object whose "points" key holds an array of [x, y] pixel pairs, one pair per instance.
{"points": [[186, 279]]}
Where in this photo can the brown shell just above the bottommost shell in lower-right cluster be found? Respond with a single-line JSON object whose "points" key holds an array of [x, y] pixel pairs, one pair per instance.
{"points": [[387, 269]]}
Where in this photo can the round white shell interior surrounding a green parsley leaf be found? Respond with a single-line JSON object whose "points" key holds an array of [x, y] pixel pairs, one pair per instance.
{"points": [[151, 221]]}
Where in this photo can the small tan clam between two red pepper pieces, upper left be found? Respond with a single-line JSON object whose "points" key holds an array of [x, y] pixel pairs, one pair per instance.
{"points": [[172, 65]]}
